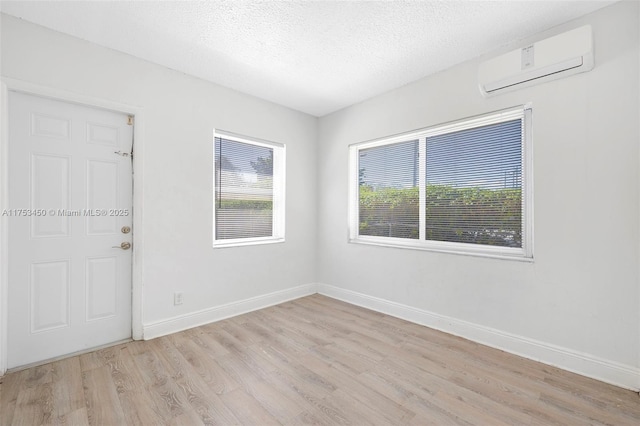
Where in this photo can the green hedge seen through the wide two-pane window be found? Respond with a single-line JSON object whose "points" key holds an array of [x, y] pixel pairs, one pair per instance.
{"points": [[463, 215]]}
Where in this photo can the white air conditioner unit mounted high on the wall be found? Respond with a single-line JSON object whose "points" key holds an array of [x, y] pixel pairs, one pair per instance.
{"points": [[555, 57]]}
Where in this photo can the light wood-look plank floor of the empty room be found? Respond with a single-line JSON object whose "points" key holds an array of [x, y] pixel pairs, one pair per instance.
{"points": [[314, 360]]}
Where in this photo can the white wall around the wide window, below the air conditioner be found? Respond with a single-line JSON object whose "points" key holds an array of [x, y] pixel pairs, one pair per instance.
{"points": [[577, 304]]}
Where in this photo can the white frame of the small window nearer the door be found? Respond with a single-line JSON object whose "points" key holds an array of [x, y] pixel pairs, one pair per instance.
{"points": [[279, 181]]}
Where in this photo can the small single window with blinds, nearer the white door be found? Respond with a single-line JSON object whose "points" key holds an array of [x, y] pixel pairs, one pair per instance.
{"points": [[248, 191]]}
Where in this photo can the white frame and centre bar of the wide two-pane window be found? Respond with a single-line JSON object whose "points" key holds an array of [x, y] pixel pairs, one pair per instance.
{"points": [[524, 253]]}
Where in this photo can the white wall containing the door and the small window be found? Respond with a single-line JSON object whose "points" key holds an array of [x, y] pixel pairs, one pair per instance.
{"points": [[180, 113]]}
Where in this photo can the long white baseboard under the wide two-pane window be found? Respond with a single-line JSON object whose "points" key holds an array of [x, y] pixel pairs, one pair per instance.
{"points": [[584, 364]]}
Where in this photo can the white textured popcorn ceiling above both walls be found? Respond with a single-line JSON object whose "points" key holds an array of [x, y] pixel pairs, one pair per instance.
{"points": [[312, 56]]}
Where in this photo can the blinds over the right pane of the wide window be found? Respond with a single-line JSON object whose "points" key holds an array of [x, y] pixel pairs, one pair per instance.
{"points": [[474, 185]]}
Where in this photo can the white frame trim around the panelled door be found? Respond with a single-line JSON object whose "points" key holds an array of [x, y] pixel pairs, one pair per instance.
{"points": [[8, 85]]}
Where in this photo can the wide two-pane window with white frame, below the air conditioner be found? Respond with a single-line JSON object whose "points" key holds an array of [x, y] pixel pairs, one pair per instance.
{"points": [[461, 187]]}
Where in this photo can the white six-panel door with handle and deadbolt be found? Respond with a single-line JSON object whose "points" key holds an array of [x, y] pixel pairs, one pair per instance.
{"points": [[70, 218]]}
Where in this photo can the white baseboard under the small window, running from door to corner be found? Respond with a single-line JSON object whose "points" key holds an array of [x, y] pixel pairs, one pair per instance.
{"points": [[217, 313]]}
